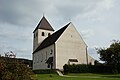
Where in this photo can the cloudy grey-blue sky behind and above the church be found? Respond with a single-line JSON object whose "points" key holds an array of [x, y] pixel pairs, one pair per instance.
{"points": [[97, 21]]}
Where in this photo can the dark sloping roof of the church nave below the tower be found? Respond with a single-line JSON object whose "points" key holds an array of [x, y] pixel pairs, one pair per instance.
{"points": [[51, 39]]}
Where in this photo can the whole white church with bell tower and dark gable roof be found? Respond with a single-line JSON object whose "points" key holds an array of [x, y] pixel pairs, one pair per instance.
{"points": [[52, 50]]}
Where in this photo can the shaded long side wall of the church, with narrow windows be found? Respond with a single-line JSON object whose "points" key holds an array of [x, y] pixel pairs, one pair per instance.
{"points": [[41, 57]]}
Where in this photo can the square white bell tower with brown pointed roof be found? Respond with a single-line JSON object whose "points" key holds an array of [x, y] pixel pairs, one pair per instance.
{"points": [[42, 31]]}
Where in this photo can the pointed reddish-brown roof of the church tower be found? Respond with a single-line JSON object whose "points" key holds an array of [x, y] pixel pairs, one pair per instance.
{"points": [[44, 24]]}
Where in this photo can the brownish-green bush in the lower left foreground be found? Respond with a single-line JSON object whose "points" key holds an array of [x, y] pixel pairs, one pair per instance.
{"points": [[12, 69]]}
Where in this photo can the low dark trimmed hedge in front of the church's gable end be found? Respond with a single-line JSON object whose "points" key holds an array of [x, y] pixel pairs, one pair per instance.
{"points": [[82, 68]]}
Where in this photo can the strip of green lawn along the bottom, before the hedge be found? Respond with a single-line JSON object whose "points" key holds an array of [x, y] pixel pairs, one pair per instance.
{"points": [[82, 76]]}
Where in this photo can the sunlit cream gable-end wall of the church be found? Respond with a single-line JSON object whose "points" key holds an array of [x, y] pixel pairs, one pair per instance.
{"points": [[70, 46]]}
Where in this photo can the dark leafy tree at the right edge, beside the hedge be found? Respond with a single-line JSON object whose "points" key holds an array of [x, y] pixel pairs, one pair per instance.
{"points": [[111, 55]]}
